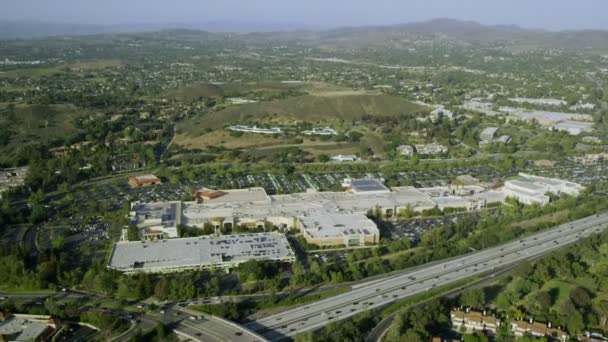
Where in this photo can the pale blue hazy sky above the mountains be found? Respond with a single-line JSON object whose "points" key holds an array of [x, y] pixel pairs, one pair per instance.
{"points": [[550, 14]]}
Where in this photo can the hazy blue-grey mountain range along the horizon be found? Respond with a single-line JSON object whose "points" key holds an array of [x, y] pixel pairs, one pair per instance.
{"points": [[457, 31]]}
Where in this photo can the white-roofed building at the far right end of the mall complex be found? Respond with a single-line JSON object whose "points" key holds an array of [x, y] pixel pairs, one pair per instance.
{"points": [[530, 189]]}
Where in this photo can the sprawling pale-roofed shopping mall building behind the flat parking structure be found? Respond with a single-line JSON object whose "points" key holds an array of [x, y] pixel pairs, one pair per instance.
{"points": [[325, 218]]}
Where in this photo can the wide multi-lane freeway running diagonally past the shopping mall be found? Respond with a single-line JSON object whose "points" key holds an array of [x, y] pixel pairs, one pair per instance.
{"points": [[379, 293]]}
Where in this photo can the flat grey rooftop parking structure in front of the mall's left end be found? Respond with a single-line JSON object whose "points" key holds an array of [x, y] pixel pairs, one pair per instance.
{"points": [[199, 253]]}
